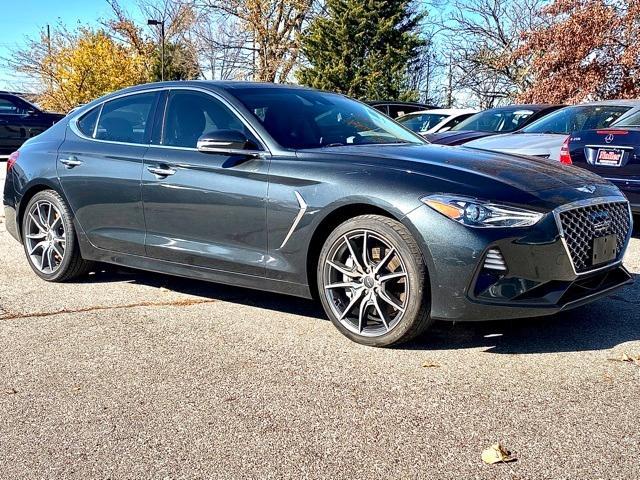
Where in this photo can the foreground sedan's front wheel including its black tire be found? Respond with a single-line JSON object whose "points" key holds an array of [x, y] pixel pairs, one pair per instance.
{"points": [[413, 302]]}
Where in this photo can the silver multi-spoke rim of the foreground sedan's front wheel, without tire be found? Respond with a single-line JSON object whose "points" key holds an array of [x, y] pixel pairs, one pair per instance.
{"points": [[366, 283]]}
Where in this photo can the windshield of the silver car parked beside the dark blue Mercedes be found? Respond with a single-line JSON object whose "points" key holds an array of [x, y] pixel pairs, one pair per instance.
{"points": [[576, 118]]}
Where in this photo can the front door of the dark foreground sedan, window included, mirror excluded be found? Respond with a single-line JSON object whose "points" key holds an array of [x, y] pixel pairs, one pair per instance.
{"points": [[207, 210]]}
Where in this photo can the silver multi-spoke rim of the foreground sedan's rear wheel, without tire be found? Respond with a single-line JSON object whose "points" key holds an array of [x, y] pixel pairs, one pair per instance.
{"points": [[45, 236]]}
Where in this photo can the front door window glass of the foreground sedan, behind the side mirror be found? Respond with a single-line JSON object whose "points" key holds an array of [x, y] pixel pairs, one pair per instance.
{"points": [[190, 114]]}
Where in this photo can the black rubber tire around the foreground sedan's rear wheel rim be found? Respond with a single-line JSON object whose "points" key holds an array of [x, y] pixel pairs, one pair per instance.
{"points": [[72, 264]]}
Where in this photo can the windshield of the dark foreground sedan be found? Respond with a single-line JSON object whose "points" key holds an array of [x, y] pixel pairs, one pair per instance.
{"points": [[298, 118]]}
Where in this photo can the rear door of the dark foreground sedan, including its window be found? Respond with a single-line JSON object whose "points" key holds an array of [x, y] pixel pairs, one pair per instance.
{"points": [[100, 169]]}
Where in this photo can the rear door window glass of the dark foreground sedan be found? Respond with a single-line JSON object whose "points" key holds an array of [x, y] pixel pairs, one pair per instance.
{"points": [[127, 119]]}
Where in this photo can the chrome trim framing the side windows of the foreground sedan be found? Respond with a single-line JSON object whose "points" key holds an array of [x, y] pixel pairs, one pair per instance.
{"points": [[74, 121]]}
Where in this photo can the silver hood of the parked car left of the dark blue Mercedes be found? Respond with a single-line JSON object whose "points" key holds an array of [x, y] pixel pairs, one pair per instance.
{"points": [[535, 144]]}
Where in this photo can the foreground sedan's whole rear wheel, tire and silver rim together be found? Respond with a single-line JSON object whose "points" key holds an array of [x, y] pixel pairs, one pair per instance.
{"points": [[49, 238]]}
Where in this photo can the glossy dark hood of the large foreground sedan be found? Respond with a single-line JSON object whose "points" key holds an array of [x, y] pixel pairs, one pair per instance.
{"points": [[509, 178]]}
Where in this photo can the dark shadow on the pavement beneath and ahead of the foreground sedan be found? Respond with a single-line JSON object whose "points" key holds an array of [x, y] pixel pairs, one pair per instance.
{"points": [[598, 326]]}
